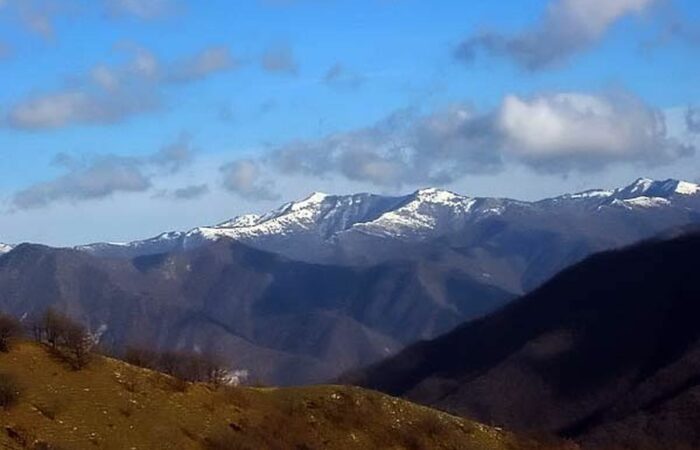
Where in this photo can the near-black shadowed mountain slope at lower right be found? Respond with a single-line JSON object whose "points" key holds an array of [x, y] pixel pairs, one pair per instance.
{"points": [[607, 352]]}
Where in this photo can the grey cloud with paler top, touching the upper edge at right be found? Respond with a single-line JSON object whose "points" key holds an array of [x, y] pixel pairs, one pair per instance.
{"points": [[568, 27]]}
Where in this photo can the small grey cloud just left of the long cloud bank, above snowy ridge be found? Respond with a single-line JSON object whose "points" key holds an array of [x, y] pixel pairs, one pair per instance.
{"points": [[245, 178]]}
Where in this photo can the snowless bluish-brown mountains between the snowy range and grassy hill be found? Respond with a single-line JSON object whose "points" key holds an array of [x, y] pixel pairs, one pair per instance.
{"points": [[286, 322]]}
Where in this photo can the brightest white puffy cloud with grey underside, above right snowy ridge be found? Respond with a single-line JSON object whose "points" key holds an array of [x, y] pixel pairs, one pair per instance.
{"points": [[573, 130]]}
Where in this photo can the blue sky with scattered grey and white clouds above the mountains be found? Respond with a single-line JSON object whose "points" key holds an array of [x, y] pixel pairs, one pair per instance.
{"points": [[121, 119]]}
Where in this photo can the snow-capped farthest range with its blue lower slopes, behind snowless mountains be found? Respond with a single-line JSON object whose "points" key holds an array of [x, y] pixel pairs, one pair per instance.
{"points": [[511, 244]]}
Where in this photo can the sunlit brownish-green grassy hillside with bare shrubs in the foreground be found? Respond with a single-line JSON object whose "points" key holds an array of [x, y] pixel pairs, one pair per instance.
{"points": [[112, 405]]}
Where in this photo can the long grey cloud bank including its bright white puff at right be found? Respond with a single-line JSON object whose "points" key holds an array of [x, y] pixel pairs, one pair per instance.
{"points": [[553, 133]]}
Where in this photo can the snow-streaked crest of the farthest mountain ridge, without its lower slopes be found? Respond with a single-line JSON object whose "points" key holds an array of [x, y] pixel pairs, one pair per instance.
{"points": [[314, 223]]}
